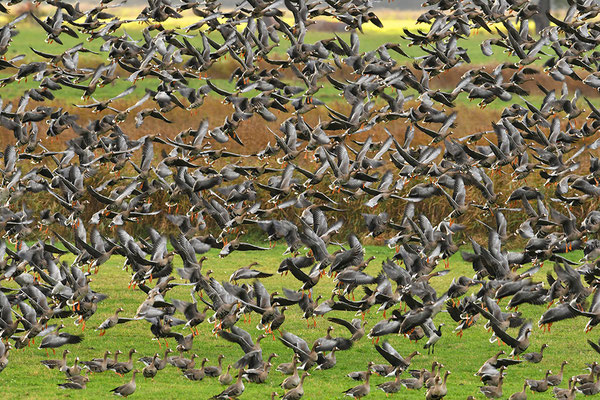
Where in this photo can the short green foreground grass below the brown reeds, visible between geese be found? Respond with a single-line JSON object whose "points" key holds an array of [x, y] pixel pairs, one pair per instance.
{"points": [[25, 376]]}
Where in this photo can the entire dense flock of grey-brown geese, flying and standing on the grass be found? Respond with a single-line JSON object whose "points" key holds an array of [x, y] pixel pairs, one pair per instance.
{"points": [[102, 184]]}
